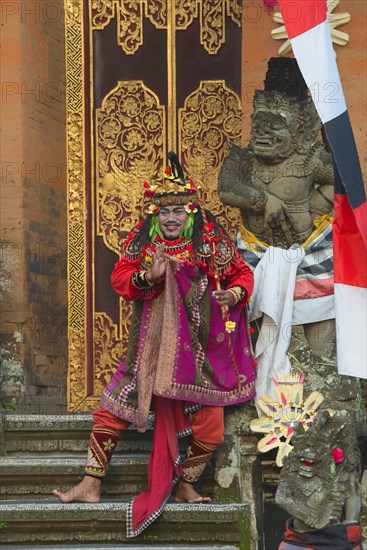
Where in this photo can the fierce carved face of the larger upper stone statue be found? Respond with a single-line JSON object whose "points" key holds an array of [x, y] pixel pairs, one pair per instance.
{"points": [[271, 139]]}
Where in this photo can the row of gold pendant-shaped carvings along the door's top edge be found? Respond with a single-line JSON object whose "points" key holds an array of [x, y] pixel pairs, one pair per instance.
{"points": [[130, 15]]}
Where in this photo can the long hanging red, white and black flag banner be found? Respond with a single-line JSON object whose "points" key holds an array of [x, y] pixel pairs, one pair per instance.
{"points": [[309, 32]]}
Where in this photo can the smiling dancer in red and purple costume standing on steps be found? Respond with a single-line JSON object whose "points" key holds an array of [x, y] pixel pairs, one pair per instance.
{"points": [[188, 350]]}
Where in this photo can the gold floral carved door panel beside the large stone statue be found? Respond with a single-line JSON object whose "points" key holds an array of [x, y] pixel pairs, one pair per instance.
{"points": [[210, 118]]}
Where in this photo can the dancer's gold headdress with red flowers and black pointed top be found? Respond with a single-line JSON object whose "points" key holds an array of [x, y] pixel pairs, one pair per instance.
{"points": [[173, 190]]}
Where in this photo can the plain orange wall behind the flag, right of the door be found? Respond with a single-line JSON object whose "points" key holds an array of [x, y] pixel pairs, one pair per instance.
{"points": [[259, 46]]}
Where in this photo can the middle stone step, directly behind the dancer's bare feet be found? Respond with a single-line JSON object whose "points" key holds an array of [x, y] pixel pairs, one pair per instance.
{"points": [[34, 478]]}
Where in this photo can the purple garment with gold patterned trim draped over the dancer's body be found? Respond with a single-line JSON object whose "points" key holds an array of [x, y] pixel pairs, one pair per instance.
{"points": [[178, 348]]}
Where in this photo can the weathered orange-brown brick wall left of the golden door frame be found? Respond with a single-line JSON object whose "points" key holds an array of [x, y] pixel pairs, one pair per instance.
{"points": [[33, 198]]}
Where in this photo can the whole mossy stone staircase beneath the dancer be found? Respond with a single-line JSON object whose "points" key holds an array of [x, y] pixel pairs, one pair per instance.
{"points": [[42, 452]]}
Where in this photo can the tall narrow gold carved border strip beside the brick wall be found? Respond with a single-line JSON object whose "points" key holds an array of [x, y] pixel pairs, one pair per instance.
{"points": [[76, 206]]}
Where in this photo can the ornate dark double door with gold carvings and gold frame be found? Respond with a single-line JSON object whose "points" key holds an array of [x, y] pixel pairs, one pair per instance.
{"points": [[143, 77]]}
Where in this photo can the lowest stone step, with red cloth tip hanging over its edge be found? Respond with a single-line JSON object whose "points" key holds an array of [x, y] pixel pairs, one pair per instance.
{"points": [[105, 523]]}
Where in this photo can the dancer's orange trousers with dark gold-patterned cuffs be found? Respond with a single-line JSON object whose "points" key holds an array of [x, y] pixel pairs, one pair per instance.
{"points": [[207, 434]]}
